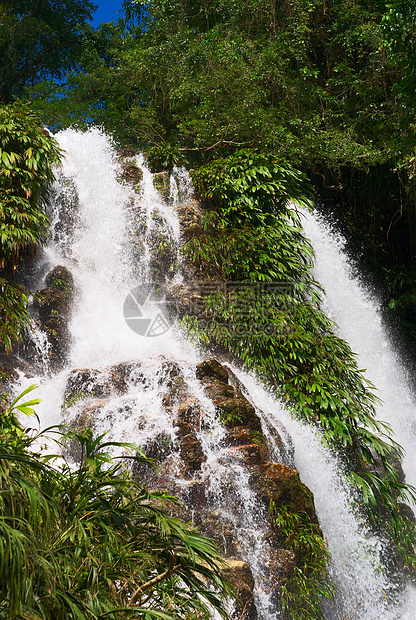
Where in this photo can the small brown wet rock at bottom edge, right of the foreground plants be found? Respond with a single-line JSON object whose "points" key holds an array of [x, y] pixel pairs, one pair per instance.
{"points": [[240, 575]]}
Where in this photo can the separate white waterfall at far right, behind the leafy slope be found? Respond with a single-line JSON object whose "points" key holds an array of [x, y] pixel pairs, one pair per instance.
{"points": [[356, 312]]}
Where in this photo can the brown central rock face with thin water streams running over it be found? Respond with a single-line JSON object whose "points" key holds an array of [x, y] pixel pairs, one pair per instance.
{"points": [[206, 439]]}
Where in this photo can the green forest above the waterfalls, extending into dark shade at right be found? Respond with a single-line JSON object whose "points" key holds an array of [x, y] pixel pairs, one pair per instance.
{"points": [[327, 84]]}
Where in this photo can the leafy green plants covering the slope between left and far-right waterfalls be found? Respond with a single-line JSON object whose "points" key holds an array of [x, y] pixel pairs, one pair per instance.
{"points": [[279, 330]]}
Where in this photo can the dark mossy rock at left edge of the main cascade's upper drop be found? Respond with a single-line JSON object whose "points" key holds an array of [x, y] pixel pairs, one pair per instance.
{"points": [[53, 308]]}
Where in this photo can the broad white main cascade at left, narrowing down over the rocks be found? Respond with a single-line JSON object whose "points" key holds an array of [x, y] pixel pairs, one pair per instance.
{"points": [[109, 251]]}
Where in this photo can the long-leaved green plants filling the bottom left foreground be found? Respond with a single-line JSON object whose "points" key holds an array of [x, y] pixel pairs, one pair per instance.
{"points": [[88, 541]]}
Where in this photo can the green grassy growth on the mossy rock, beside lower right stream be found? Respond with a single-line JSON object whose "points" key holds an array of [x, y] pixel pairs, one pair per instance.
{"points": [[308, 584]]}
